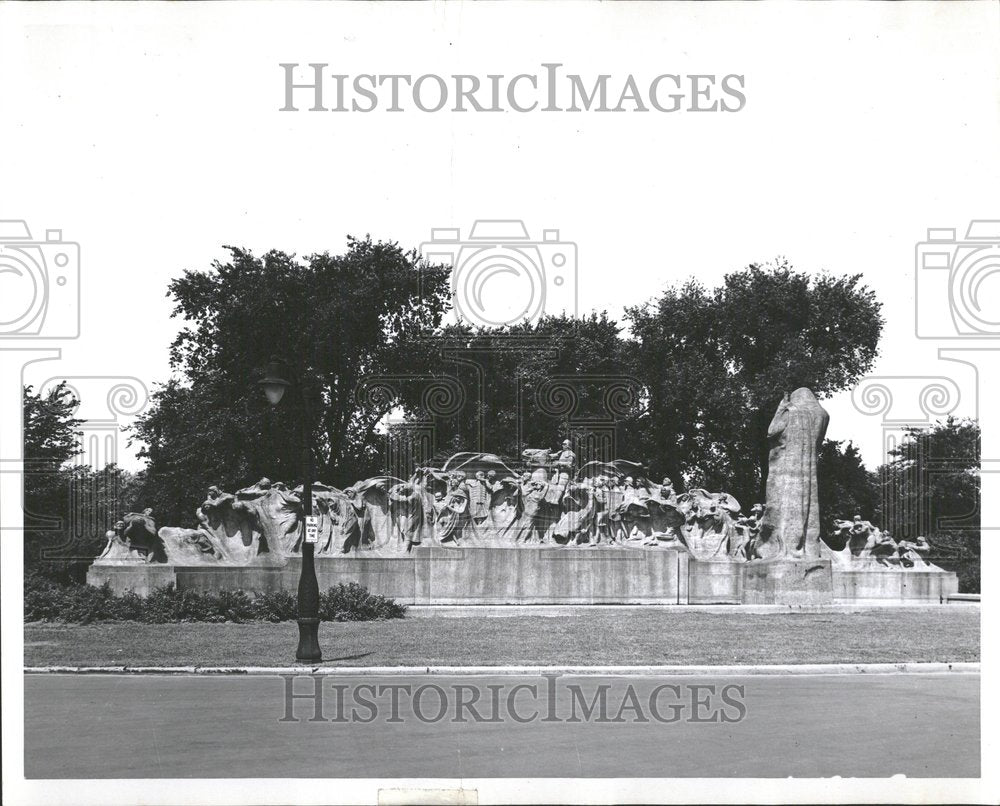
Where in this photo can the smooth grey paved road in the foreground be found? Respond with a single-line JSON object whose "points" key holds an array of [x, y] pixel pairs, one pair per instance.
{"points": [[96, 726]]}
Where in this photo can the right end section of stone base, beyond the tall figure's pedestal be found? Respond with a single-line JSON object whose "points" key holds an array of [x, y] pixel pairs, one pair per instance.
{"points": [[893, 586]]}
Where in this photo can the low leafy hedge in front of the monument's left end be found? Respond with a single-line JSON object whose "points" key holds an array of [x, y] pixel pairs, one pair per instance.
{"points": [[46, 600]]}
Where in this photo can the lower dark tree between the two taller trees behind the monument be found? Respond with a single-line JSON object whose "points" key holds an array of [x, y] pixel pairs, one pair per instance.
{"points": [[524, 385]]}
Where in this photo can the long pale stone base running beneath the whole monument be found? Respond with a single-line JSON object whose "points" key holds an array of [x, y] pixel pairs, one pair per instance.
{"points": [[543, 575]]}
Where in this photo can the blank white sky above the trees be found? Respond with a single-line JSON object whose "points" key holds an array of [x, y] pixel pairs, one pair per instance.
{"points": [[153, 138]]}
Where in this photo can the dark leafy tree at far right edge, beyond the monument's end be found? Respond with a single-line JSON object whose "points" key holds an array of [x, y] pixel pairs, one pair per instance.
{"points": [[931, 487]]}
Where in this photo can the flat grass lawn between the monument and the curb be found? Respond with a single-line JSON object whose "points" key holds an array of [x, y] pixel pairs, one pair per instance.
{"points": [[947, 633]]}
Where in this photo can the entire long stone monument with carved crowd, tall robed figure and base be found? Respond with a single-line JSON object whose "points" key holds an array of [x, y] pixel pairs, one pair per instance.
{"points": [[504, 518]]}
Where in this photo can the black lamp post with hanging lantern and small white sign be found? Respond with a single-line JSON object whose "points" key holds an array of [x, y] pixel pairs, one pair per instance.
{"points": [[276, 380]]}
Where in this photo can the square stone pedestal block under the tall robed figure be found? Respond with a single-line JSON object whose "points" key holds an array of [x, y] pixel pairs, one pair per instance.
{"points": [[787, 582]]}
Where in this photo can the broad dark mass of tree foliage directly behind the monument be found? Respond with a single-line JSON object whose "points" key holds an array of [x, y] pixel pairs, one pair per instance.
{"points": [[687, 383]]}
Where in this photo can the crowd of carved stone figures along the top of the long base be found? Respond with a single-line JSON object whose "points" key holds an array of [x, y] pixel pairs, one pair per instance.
{"points": [[477, 500]]}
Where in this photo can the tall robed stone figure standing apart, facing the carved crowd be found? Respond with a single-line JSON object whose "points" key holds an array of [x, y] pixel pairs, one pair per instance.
{"points": [[790, 527]]}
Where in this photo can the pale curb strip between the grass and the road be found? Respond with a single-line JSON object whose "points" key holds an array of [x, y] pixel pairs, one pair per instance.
{"points": [[579, 671]]}
